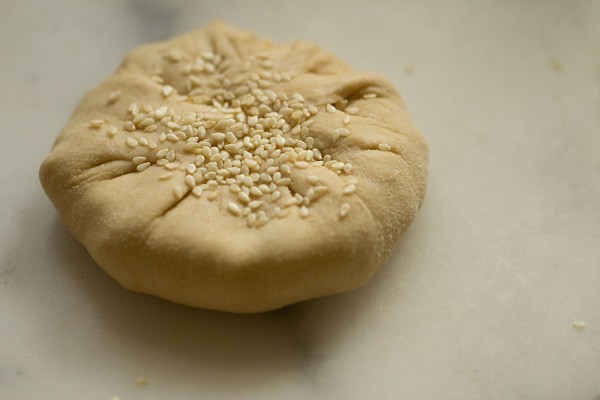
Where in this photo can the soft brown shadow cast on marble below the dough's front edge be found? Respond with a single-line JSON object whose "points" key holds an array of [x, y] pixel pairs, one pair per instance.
{"points": [[229, 347]]}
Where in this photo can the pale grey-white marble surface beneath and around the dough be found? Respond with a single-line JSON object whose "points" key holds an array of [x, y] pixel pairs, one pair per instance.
{"points": [[478, 300]]}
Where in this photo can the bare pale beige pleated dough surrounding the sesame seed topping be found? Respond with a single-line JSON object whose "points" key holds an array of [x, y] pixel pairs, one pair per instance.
{"points": [[193, 250]]}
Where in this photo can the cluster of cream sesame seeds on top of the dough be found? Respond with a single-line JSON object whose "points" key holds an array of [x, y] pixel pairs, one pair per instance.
{"points": [[246, 137]]}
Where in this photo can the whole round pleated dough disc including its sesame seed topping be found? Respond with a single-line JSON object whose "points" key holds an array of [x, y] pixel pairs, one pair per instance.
{"points": [[143, 223]]}
